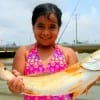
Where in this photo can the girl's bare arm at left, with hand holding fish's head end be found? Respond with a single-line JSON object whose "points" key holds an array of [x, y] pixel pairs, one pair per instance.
{"points": [[16, 85]]}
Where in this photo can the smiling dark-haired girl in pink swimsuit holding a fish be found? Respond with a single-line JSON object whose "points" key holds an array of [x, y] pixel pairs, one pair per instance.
{"points": [[45, 56]]}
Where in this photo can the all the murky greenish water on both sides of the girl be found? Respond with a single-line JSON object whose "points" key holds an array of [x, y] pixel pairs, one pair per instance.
{"points": [[5, 94]]}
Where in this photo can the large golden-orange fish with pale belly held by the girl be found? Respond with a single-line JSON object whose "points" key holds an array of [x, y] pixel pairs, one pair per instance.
{"points": [[73, 80]]}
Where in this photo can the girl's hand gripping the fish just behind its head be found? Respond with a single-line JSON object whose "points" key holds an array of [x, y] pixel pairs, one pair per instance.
{"points": [[16, 84]]}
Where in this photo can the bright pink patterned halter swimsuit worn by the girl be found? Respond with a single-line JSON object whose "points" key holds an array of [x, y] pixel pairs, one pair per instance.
{"points": [[34, 65]]}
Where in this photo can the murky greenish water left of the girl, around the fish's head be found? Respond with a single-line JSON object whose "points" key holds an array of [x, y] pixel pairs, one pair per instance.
{"points": [[5, 94]]}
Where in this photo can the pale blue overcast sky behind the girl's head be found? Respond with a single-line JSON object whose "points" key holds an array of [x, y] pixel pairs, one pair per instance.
{"points": [[15, 20]]}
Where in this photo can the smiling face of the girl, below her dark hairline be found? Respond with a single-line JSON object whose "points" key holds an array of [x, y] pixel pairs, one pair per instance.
{"points": [[46, 30]]}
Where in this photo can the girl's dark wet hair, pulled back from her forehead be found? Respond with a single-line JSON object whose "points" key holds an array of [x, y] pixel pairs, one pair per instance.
{"points": [[46, 9]]}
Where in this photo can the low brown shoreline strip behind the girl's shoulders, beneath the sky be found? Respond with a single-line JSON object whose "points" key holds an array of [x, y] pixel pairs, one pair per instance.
{"points": [[9, 51]]}
